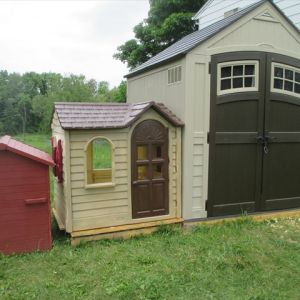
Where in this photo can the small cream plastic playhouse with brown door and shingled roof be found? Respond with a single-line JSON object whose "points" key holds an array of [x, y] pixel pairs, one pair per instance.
{"points": [[121, 167]]}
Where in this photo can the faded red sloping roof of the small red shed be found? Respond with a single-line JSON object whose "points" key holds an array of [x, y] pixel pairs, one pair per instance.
{"points": [[12, 145]]}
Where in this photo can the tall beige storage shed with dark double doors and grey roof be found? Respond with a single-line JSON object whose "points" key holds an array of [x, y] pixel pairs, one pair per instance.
{"points": [[236, 86]]}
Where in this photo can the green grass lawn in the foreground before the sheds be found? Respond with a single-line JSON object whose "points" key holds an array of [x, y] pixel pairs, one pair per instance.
{"points": [[238, 260]]}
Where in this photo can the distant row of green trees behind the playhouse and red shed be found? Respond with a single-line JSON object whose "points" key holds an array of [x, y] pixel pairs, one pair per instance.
{"points": [[26, 101]]}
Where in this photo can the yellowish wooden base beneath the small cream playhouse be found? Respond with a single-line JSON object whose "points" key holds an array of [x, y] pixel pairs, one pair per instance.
{"points": [[123, 231]]}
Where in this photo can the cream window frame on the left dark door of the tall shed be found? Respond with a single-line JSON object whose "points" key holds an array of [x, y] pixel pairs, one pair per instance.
{"points": [[238, 90]]}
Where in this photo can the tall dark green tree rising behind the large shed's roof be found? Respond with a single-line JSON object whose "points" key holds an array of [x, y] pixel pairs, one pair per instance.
{"points": [[167, 22]]}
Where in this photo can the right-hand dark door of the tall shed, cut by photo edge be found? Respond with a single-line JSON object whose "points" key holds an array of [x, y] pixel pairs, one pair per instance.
{"points": [[281, 163]]}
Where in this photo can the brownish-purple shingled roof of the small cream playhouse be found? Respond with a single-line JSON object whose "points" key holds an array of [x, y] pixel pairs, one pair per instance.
{"points": [[82, 115]]}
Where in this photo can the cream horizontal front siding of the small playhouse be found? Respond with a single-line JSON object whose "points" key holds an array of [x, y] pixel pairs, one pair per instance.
{"points": [[111, 206]]}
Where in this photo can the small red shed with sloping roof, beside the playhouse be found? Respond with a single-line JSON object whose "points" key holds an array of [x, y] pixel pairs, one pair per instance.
{"points": [[24, 197]]}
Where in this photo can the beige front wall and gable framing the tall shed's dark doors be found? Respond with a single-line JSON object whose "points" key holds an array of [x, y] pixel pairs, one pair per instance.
{"points": [[251, 33]]}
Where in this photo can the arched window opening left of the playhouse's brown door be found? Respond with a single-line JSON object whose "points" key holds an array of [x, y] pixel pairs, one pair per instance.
{"points": [[99, 161]]}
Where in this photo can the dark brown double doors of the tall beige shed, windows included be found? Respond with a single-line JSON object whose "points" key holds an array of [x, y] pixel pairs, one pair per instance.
{"points": [[254, 139]]}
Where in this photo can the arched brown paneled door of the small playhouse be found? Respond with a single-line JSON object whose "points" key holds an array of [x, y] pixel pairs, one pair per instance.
{"points": [[150, 175]]}
